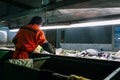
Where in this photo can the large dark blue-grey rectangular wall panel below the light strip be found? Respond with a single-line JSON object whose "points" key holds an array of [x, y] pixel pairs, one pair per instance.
{"points": [[99, 34]]}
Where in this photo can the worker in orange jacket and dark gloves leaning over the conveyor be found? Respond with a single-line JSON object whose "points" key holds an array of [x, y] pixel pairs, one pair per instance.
{"points": [[28, 38]]}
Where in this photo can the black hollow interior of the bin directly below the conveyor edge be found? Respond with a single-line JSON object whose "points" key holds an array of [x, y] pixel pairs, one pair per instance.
{"points": [[93, 69]]}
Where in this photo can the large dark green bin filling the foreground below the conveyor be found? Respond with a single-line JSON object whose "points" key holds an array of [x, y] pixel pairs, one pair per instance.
{"points": [[93, 69]]}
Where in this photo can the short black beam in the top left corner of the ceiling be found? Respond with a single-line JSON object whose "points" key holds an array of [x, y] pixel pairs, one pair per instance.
{"points": [[18, 4]]}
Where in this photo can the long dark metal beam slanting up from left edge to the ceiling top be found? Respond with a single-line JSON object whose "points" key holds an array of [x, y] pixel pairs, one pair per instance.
{"points": [[44, 8]]}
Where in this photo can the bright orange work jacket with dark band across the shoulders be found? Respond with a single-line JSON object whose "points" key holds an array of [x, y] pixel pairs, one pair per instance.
{"points": [[27, 39]]}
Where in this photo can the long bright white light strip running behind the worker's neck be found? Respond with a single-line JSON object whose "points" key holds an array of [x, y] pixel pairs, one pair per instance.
{"points": [[87, 24]]}
